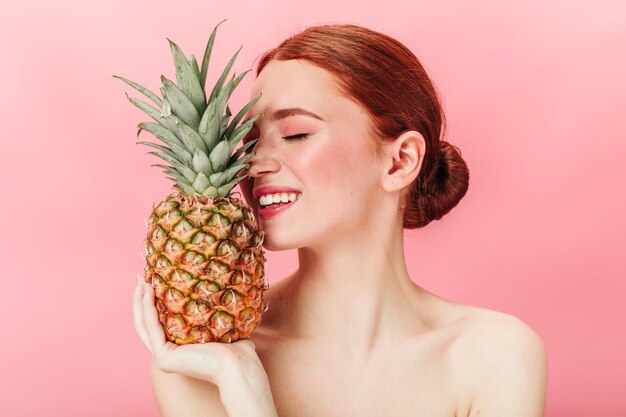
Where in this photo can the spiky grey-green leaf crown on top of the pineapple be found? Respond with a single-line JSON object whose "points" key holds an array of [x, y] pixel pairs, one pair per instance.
{"points": [[198, 136]]}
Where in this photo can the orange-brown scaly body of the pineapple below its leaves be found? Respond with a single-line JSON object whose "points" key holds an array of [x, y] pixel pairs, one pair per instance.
{"points": [[205, 259]]}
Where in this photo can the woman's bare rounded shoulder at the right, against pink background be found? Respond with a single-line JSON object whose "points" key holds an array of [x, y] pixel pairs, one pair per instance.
{"points": [[503, 363]]}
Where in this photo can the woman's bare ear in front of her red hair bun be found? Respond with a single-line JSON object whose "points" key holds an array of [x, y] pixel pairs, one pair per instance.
{"points": [[402, 160]]}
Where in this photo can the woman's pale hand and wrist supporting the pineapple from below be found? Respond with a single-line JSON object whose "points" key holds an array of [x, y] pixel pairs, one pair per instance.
{"points": [[234, 367]]}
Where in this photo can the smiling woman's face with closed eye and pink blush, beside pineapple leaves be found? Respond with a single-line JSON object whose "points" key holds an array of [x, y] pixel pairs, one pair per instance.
{"points": [[313, 139]]}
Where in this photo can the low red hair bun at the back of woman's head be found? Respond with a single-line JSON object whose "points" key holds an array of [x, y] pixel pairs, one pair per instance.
{"points": [[440, 191]]}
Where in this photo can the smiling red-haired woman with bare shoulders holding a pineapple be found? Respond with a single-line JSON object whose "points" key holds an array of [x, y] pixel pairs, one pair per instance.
{"points": [[351, 124]]}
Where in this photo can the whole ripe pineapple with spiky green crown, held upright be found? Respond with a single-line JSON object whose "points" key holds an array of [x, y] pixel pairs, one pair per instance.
{"points": [[203, 247]]}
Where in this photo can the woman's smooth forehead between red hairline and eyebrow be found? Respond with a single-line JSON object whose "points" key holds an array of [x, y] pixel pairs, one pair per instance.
{"points": [[294, 82]]}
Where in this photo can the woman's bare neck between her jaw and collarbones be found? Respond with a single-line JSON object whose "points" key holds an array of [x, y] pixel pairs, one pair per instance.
{"points": [[353, 292]]}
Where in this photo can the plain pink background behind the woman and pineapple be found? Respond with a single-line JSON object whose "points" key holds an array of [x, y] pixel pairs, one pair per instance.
{"points": [[535, 97]]}
